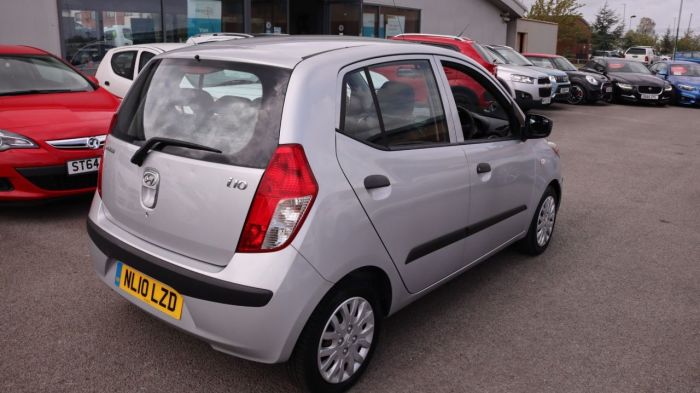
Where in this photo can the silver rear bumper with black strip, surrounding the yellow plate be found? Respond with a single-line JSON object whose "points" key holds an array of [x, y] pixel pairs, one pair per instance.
{"points": [[243, 309]]}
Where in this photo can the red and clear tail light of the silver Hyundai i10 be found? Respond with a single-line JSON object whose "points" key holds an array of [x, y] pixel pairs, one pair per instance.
{"points": [[281, 203]]}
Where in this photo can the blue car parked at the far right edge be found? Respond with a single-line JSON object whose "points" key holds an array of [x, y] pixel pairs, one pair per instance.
{"points": [[685, 78]]}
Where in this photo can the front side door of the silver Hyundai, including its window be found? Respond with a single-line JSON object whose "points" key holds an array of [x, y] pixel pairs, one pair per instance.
{"points": [[501, 166]]}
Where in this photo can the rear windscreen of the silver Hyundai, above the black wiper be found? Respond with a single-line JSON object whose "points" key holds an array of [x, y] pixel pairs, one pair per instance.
{"points": [[233, 107]]}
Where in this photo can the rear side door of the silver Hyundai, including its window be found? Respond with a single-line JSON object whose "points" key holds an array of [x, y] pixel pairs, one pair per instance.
{"points": [[397, 147]]}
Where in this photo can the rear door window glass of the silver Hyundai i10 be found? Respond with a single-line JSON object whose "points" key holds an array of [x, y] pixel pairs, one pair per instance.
{"points": [[394, 105]]}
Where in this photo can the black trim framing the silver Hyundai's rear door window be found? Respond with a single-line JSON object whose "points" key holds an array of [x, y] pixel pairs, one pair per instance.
{"points": [[365, 69]]}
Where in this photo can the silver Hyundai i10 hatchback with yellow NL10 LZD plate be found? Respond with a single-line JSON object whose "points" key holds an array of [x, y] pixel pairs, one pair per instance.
{"points": [[278, 197]]}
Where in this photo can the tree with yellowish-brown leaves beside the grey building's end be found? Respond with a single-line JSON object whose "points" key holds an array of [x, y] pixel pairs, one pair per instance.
{"points": [[567, 15]]}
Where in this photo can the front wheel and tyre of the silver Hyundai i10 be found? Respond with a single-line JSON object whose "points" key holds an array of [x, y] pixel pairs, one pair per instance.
{"points": [[541, 229]]}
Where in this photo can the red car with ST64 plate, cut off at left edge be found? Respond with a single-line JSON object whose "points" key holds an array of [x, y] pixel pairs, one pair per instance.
{"points": [[53, 125]]}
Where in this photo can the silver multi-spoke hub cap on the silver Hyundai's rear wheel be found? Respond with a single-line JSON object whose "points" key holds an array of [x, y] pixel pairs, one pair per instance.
{"points": [[346, 340]]}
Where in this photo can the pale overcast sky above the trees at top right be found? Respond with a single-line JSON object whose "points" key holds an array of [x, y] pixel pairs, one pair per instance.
{"points": [[663, 12]]}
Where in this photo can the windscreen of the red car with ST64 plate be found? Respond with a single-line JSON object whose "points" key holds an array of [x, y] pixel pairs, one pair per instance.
{"points": [[37, 74]]}
